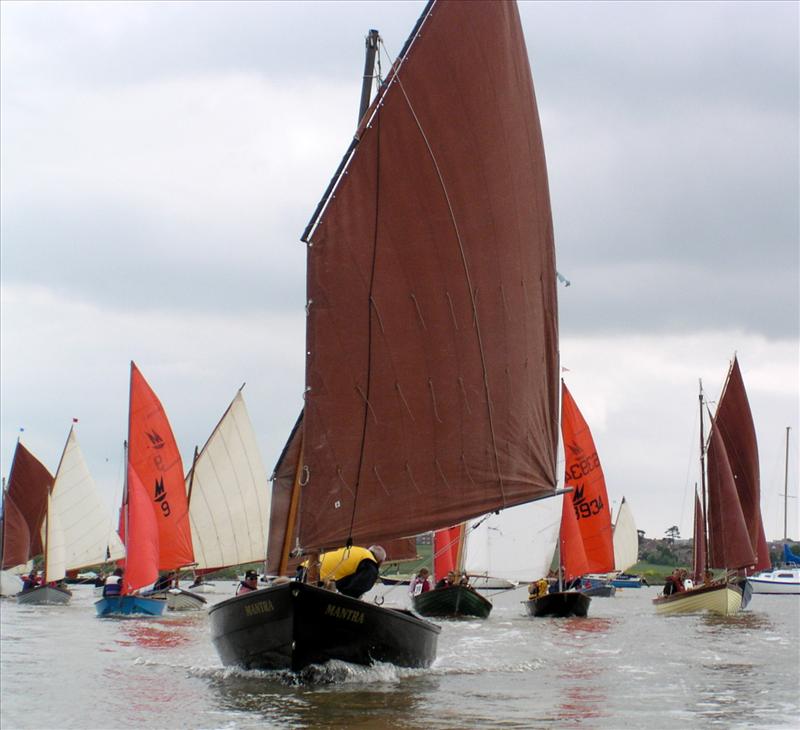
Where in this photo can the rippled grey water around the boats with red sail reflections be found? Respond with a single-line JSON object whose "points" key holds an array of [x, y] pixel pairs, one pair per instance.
{"points": [[623, 667]]}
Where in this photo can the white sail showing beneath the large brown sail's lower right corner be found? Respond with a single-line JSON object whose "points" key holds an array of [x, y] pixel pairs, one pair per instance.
{"points": [[517, 544]]}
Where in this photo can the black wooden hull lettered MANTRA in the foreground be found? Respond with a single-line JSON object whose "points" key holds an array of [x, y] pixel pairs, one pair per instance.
{"points": [[293, 625]]}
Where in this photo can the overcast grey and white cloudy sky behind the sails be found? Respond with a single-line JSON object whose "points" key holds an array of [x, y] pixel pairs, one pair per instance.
{"points": [[159, 162]]}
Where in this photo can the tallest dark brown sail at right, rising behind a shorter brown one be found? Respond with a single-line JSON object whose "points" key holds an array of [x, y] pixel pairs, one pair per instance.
{"points": [[734, 422]]}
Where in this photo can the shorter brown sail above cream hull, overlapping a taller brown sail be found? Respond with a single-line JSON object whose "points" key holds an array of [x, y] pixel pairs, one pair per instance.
{"points": [[729, 542]]}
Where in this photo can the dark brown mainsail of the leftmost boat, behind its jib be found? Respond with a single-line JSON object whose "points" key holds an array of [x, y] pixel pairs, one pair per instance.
{"points": [[28, 486]]}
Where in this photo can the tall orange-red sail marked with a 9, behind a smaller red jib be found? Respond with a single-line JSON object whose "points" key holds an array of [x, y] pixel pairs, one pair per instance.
{"points": [[154, 456]]}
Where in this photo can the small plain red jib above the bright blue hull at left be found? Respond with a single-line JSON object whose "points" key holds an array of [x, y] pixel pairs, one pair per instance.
{"points": [[141, 541]]}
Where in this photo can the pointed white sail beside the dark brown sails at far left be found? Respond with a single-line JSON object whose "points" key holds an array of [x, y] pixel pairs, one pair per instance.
{"points": [[78, 530]]}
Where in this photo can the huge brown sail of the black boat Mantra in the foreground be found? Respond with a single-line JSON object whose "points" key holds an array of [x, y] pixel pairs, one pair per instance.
{"points": [[432, 365]]}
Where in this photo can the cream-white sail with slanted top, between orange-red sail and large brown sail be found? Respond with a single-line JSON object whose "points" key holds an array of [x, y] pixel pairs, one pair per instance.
{"points": [[229, 500]]}
